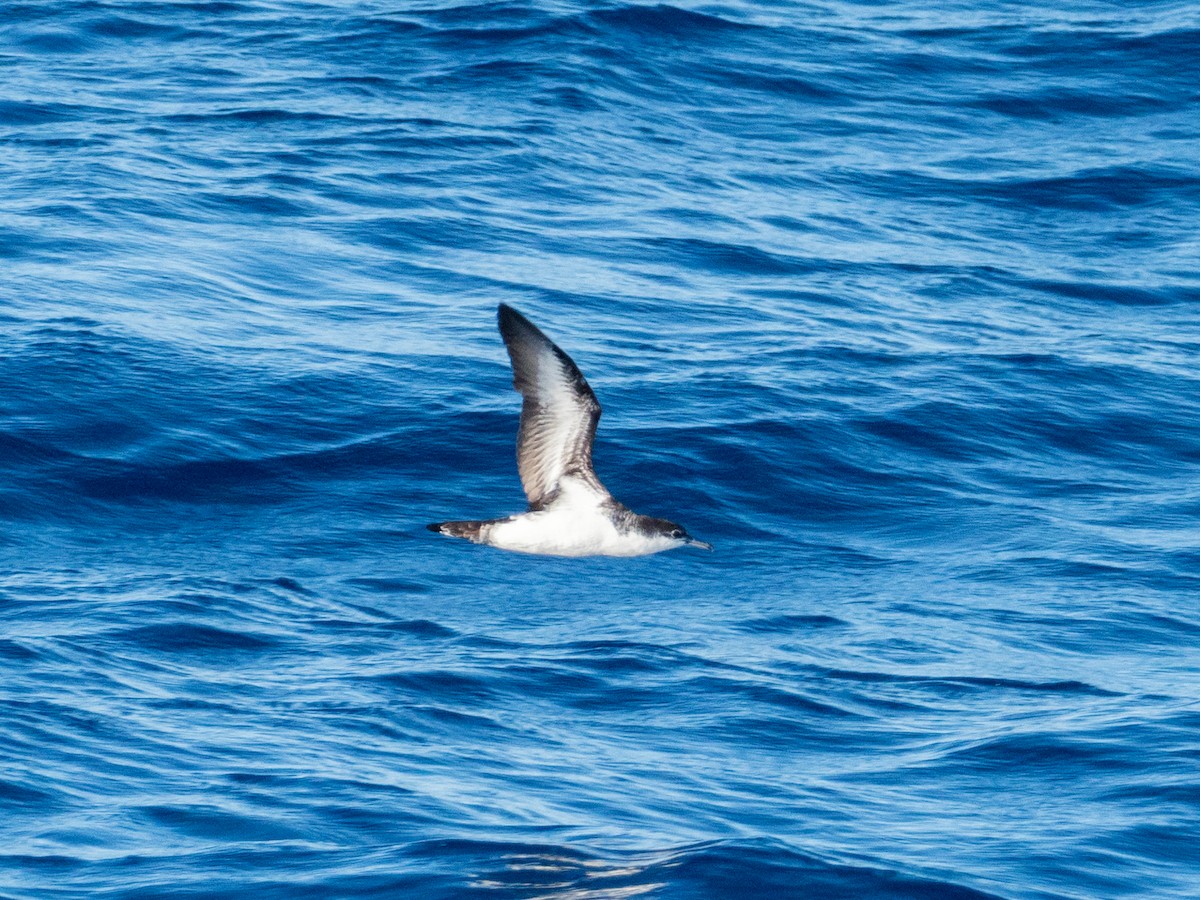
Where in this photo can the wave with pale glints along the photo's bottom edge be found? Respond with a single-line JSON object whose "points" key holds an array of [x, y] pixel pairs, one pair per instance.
{"points": [[458, 868]]}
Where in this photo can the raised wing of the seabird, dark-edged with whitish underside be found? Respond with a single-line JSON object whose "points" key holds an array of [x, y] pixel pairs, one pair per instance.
{"points": [[560, 415]]}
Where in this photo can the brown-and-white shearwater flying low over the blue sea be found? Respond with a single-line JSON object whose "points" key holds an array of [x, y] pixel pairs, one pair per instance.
{"points": [[571, 513]]}
